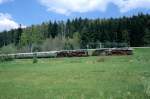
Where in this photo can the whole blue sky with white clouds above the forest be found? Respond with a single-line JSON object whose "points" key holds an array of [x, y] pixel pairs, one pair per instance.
{"points": [[28, 12]]}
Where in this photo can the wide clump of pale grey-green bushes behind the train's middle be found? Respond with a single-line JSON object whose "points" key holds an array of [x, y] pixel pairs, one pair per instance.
{"points": [[61, 43]]}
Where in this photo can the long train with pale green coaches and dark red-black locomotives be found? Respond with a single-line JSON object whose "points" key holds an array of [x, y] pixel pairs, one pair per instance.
{"points": [[73, 53]]}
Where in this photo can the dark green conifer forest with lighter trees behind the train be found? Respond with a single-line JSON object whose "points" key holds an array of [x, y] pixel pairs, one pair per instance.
{"points": [[77, 33]]}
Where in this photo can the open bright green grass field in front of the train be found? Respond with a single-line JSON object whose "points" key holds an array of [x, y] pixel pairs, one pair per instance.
{"points": [[111, 77]]}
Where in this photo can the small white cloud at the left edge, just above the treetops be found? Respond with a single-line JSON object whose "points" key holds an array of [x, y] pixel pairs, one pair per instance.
{"points": [[7, 23]]}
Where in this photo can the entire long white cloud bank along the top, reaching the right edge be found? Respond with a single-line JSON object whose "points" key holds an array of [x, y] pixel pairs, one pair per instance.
{"points": [[70, 6]]}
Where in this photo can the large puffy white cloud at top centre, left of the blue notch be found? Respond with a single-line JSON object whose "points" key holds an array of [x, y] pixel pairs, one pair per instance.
{"points": [[69, 6]]}
